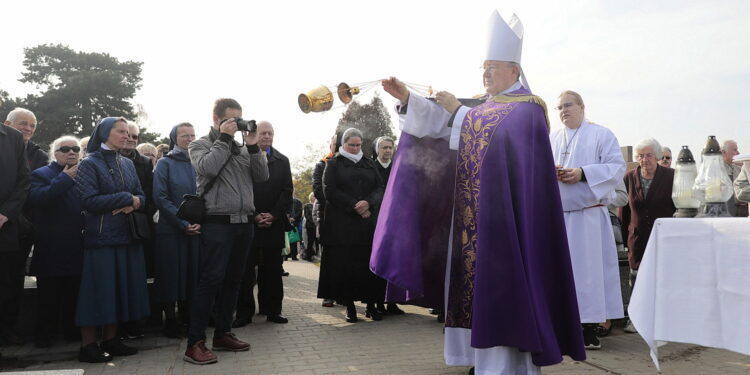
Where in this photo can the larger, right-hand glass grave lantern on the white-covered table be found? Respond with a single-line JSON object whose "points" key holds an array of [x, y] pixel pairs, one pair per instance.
{"points": [[713, 186]]}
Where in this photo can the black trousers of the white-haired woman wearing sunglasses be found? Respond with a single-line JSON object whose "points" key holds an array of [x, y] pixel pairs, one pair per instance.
{"points": [[57, 305]]}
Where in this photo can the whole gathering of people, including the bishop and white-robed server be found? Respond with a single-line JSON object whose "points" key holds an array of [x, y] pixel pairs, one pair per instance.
{"points": [[103, 215]]}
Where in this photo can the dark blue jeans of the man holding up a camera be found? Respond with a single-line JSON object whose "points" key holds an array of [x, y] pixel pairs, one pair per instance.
{"points": [[223, 254]]}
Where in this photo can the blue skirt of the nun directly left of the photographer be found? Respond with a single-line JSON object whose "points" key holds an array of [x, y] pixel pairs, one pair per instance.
{"points": [[175, 267]]}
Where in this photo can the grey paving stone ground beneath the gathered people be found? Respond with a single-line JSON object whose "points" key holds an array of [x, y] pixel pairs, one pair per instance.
{"points": [[318, 341]]}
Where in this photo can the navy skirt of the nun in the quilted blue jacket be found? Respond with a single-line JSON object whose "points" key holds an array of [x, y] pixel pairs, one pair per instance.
{"points": [[113, 286]]}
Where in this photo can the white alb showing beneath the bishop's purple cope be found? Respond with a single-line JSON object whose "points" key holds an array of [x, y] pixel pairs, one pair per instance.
{"points": [[425, 118]]}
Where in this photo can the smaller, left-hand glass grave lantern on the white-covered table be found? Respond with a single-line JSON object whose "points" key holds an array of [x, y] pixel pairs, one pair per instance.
{"points": [[683, 195]]}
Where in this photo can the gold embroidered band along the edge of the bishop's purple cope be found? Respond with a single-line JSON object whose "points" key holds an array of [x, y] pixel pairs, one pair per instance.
{"points": [[476, 134]]}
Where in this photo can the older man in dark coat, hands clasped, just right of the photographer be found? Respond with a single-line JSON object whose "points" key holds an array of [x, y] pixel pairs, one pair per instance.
{"points": [[272, 201]]}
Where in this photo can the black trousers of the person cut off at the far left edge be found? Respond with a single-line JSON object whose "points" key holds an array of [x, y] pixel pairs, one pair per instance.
{"points": [[12, 274]]}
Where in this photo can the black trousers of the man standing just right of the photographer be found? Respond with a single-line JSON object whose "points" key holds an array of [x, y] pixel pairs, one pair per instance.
{"points": [[269, 280]]}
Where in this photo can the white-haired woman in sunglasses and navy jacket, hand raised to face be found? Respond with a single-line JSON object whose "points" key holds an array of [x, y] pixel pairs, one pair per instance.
{"points": [[58, 246]]}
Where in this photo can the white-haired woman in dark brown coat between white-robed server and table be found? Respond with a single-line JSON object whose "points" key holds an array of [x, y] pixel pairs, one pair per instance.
{"points": [[649, 189]]}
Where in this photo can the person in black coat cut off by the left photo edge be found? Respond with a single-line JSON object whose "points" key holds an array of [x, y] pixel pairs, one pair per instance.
{"points": [[14, 187]]}
